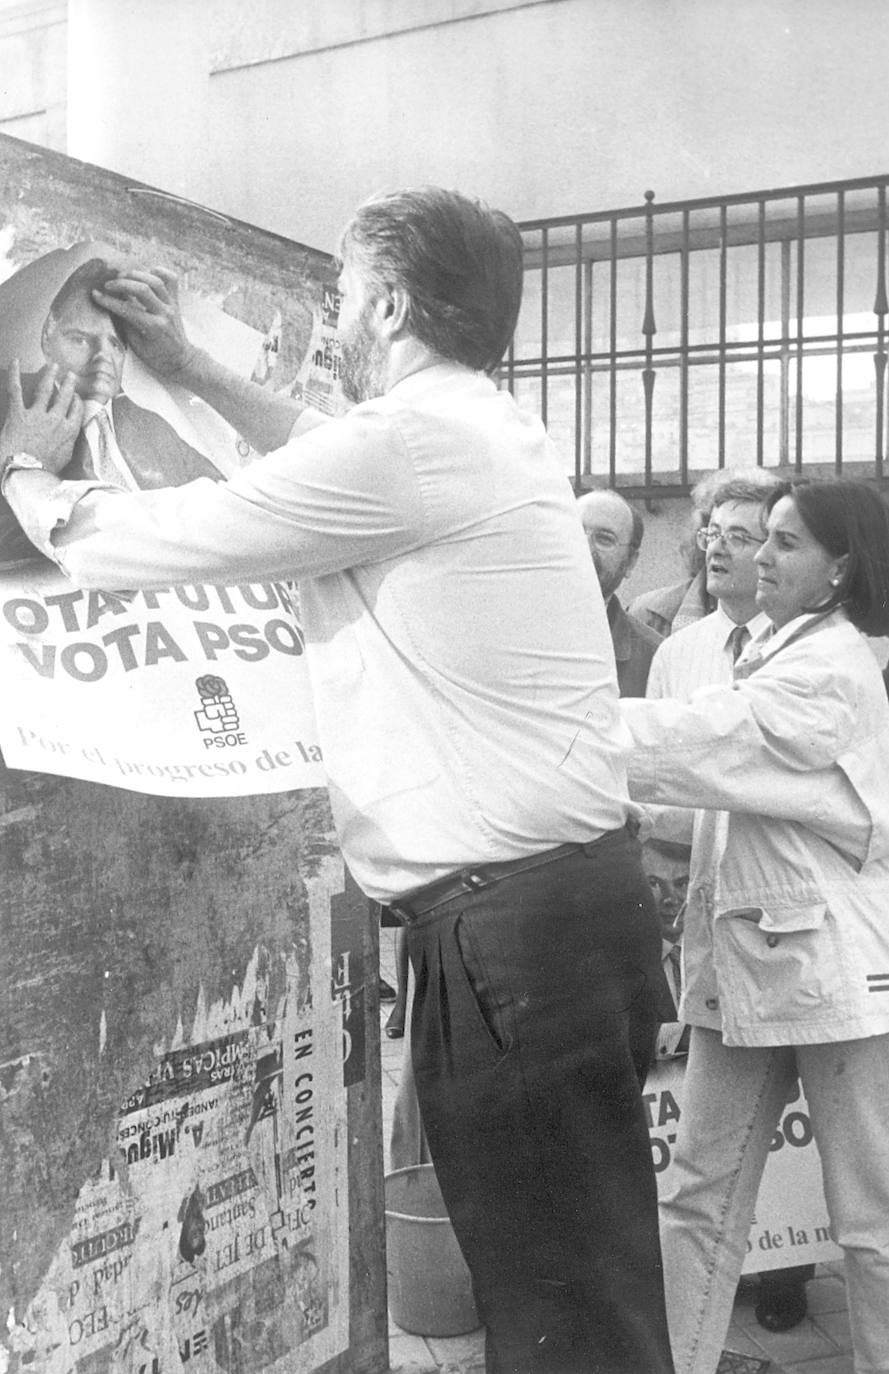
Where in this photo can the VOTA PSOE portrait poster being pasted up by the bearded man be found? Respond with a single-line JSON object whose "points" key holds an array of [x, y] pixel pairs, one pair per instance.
{"points": [[192, 690]]}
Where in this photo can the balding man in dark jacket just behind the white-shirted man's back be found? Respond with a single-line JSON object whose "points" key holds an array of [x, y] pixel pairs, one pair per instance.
{"points": [[615, 531]]}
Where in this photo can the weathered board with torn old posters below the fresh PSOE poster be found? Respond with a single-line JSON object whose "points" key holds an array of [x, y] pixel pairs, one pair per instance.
{"points": [[189, 1097]]}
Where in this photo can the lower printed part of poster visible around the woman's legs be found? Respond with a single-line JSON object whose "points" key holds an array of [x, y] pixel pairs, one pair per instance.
{"points": [[791, 1225]]}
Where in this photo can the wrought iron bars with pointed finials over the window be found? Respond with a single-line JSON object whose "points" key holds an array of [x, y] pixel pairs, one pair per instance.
{"points": [[666, 340]]}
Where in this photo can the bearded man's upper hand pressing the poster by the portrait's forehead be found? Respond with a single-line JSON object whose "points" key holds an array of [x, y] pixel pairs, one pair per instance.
{"points": [[146, 303]]}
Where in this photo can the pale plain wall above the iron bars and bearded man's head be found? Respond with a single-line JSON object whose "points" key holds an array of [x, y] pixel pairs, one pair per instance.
{"points": [[289, 113]]}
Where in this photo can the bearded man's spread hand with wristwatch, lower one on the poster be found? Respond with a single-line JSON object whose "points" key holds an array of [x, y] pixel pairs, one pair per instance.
{"points": [[49, 427]]}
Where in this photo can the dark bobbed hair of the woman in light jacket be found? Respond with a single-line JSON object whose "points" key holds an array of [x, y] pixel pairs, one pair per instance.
{"points": [[848, 519]]}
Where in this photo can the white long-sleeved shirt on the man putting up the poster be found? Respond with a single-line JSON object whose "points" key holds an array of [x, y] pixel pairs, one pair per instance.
{"points": [[457, 641]]}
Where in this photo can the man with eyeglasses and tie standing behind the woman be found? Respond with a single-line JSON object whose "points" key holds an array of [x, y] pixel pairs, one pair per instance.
{"points": [[704, 655]]}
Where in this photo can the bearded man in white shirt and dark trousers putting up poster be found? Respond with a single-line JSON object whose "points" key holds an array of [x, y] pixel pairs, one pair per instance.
{"points": [[466, 701]]}
